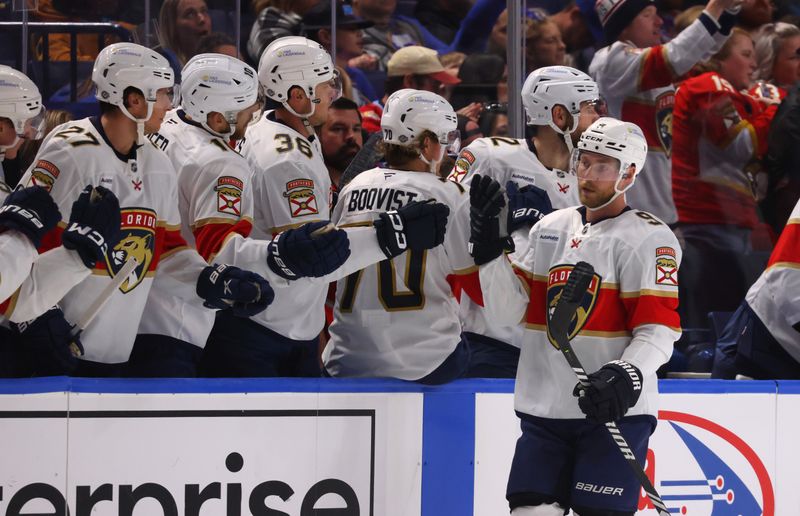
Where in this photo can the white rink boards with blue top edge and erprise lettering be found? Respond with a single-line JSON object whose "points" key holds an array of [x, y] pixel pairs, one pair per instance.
{"points": [[369, 447]]}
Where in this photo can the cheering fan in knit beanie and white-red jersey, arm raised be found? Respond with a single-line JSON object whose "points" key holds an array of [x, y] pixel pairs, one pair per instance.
{"points": [[635, 73]]}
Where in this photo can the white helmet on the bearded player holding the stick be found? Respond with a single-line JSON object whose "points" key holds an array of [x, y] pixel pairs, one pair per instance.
{"points": [[623, 141]]}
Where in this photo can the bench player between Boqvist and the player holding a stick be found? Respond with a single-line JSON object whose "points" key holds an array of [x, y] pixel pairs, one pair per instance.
{"points": [[560, 103]]}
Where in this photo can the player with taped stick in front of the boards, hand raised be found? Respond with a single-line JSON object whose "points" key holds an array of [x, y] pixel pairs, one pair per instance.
{"points": [[624, 330]]}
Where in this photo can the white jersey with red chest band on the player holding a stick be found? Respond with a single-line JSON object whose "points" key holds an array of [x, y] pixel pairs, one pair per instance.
{"points": [[629, 311]]}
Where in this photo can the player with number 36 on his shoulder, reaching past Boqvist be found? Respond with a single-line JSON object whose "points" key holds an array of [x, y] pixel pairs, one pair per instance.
{"points": [[291, 188]]}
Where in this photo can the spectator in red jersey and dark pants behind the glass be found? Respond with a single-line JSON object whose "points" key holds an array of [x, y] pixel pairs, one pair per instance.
{"points": [[719, 136]]}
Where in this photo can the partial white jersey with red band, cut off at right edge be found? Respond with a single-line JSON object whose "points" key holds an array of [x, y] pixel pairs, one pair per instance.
{"points": [[775, 296]]}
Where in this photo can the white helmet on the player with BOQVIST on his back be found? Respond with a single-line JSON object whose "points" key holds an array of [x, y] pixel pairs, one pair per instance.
{"points": [[408, 113]]}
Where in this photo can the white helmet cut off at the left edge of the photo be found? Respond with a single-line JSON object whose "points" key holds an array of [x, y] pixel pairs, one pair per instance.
{"points": [[21, 102]]}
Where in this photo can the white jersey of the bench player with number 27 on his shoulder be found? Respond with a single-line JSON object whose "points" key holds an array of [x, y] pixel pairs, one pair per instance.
{"points": [[78, 153]]}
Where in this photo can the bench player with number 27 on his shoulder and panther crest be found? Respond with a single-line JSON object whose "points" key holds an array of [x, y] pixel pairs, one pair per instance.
{"points": [[133, 87]]}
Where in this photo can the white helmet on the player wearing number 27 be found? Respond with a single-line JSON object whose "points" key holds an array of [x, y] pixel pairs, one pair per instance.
{"points": [[123, 65]]}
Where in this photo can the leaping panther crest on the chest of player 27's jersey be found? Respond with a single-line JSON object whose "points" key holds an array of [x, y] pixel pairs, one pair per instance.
{"points": [[138, 230]]}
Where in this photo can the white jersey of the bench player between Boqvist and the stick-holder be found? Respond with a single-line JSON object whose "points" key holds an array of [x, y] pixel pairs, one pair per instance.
{"points": [[508, 159]]}
